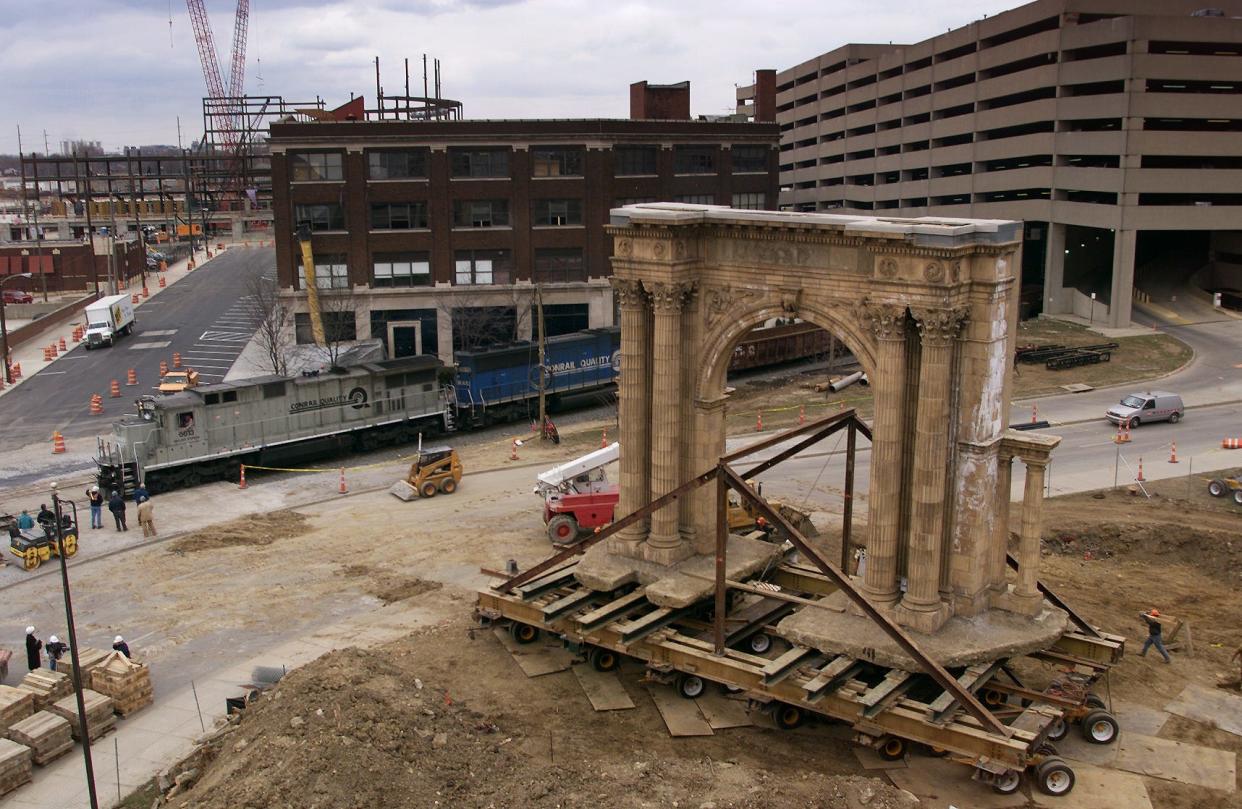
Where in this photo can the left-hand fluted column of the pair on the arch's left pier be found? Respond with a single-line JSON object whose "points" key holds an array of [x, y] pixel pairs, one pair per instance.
{"points": [[635, 407]]}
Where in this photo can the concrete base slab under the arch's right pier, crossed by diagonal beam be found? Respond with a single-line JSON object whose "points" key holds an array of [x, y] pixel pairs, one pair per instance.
{"points": [[962, 642]]}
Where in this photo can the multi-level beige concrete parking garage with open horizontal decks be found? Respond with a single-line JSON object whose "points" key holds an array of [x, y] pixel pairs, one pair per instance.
{"points": [[1110, 126]]}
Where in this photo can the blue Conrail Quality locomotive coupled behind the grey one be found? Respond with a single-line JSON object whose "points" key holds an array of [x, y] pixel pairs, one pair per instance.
{"points": [[500, 385]]}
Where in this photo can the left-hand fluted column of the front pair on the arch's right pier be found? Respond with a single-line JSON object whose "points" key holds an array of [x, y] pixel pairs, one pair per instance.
{"points": [[887, 322]]}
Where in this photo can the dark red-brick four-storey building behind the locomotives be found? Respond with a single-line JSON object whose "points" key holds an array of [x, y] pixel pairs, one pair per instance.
{"points": [[443, 229]]}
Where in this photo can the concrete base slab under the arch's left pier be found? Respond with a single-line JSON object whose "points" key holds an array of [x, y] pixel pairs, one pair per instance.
{"points": [[679, 585]]}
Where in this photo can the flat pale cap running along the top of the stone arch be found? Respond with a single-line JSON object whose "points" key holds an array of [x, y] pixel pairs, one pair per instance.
{"points": [[930, 232]]}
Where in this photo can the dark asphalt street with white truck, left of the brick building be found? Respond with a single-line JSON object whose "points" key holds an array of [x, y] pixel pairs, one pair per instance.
{"points": [[206, 316]]}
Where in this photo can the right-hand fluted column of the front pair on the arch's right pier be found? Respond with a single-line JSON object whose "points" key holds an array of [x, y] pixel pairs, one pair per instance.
{"points": [[922, 608]]}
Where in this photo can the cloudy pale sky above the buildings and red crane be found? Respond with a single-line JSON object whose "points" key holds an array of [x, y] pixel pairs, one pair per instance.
{"points": [[116, 71]]}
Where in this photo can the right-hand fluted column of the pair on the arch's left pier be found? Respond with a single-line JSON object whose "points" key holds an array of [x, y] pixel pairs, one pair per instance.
{"points": [[665, 541]]}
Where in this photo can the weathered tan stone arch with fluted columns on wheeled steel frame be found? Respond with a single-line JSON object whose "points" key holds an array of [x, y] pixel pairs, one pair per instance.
{"points": [[928, 309]]}
